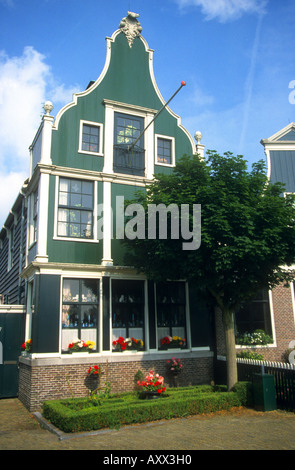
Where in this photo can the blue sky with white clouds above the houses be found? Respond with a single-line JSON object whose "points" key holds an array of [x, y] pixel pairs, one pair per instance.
{"points": [[237, 57]]}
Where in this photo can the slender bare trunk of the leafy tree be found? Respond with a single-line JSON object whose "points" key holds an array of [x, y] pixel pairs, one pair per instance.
{"points": [[231, 360]]}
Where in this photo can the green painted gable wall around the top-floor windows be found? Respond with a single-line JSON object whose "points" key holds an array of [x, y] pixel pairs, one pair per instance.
{"points": [[127, 80]]}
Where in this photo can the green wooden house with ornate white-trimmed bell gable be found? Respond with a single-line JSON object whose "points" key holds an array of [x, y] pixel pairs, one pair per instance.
{"points": [[100, 149]]}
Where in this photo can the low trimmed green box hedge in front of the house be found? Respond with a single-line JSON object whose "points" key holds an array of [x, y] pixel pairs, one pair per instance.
{"points": [[76, 415]]}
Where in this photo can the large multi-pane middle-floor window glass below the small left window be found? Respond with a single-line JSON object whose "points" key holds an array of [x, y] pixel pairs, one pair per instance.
{"points": [[75, 208]]}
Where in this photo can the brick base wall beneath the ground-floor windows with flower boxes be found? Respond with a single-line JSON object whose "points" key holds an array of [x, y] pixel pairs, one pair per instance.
{"points": [[40, 381]]}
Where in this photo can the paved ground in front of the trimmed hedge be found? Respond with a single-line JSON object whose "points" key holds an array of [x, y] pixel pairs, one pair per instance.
{"points": [[239, 429]]}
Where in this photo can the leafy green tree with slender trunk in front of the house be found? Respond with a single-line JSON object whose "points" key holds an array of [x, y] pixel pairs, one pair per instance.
{"points": [[247, 234]]}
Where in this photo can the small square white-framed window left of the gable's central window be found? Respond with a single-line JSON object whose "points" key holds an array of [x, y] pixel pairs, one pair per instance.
{"points": [[90, 138]]}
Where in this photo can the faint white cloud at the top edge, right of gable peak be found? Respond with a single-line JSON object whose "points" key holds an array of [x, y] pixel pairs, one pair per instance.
{"points": [[225, 10]]}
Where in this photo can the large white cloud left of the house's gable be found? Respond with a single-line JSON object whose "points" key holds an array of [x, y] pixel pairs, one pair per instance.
{"points": [[26, 82]]}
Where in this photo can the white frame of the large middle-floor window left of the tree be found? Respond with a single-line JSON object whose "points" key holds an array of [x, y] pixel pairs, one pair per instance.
{"points": [[74, 239]]}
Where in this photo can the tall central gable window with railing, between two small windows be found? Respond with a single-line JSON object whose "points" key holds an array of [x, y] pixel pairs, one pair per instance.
{"points": [[129, 158]]}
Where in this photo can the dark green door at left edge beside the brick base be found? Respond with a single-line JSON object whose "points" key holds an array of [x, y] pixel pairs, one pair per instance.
{"points": [[11, 338]]}
